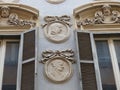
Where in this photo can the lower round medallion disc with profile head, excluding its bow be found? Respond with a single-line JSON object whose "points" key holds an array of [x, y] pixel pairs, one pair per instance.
{"points": [[58, 69]]}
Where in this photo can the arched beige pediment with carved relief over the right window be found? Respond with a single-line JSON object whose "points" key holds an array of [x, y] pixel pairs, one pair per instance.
{"points": [[98, 15]]}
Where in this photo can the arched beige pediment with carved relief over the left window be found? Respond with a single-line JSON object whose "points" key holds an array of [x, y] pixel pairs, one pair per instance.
{"points": [[17, 16]]}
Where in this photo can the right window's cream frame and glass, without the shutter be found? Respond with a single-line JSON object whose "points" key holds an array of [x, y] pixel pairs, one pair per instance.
{"points": [[108, 51]]}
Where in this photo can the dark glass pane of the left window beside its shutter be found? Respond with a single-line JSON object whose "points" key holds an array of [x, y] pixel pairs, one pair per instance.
{"points": [[10, 66]]}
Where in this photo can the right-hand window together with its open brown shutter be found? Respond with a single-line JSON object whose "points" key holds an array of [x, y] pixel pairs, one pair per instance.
{"points": [[98, 60]]}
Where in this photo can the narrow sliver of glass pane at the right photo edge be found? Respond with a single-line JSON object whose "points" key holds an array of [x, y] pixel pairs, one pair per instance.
{"points": [[117, 49]]}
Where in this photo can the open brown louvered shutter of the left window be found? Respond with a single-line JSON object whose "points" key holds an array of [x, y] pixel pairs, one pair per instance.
{"points": [[28, 56]]}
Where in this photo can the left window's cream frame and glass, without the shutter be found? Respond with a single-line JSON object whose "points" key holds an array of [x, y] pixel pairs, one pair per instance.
{"points": [[9, 63]]}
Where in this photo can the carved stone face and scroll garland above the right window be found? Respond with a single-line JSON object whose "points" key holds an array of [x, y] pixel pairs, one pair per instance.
{"points": [[104, 16]]}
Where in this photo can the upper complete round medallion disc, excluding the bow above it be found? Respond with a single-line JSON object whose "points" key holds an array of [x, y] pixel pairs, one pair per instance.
{"points": [[57, 32]]}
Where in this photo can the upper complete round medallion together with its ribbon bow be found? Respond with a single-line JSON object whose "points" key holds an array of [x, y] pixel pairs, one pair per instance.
{"points": [[56, 28]]}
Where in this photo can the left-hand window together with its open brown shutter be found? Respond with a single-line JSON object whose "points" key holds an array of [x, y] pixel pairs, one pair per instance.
{"points": [[18, 65]]}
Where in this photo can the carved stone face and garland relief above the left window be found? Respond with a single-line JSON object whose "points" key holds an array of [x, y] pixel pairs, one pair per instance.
{"points": [[8, 18]]}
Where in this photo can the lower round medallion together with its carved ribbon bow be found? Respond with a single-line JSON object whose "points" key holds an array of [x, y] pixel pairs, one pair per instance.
{"points": [[58, 65]]}
